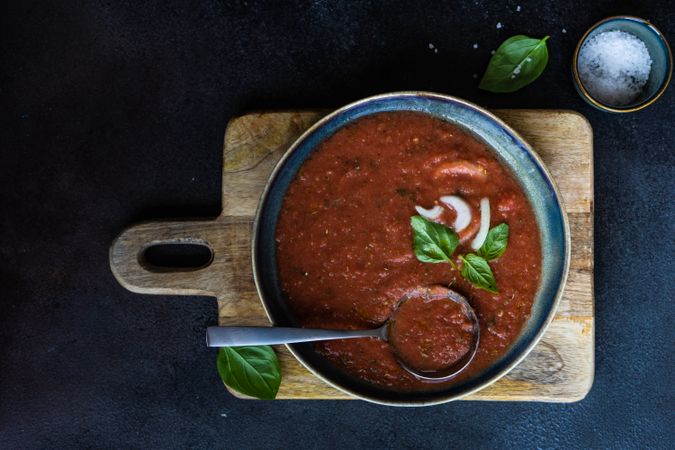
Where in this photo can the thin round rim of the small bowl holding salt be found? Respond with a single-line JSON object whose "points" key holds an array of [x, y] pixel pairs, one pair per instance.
{"points": [[602, 106]]}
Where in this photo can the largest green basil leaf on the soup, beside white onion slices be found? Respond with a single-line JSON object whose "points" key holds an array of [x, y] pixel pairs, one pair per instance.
{"points": [[432, 242]]}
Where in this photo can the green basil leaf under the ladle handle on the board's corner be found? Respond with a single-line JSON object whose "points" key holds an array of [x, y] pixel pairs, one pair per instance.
{"points": [[252, 371]]}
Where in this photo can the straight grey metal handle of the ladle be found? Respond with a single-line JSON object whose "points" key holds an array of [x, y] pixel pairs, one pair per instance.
{"points": [[240, 336]]}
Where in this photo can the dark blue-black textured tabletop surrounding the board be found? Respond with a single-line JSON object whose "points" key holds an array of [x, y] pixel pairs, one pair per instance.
{"points": [[114, 111]]}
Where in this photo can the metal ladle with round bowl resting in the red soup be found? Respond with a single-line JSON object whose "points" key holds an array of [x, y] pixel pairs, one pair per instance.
{"points": [[243, 336]]}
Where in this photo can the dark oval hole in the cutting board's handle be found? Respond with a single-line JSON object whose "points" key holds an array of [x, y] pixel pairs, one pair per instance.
{"points": [[172, 256]]}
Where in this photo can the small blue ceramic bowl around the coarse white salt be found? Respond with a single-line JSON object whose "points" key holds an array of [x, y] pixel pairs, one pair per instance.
{"points": [[659, 50]]}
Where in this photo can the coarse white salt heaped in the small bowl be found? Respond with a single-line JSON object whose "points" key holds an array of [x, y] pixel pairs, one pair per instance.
{"points": [[614, 67]]}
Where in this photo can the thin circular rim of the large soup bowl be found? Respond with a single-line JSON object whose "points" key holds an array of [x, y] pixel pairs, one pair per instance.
{"points": [[430, 398]]}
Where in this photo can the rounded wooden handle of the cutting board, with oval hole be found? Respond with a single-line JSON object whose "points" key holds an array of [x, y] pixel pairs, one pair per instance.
{"points": [[132, 270]]}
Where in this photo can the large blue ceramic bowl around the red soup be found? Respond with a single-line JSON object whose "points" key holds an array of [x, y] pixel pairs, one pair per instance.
{"points": [[513, 152]]}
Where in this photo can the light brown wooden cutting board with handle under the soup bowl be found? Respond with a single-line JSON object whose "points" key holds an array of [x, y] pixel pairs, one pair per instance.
{"points": [[559, 369]]}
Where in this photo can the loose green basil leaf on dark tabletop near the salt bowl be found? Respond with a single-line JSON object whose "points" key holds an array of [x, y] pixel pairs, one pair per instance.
{"points": [[516, 63]]}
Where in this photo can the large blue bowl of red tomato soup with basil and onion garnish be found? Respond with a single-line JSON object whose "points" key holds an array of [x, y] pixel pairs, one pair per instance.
{"points": [[406, 190]]}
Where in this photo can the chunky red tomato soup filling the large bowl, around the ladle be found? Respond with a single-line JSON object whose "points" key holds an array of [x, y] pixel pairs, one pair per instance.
{"points": [[344, 240]]}
